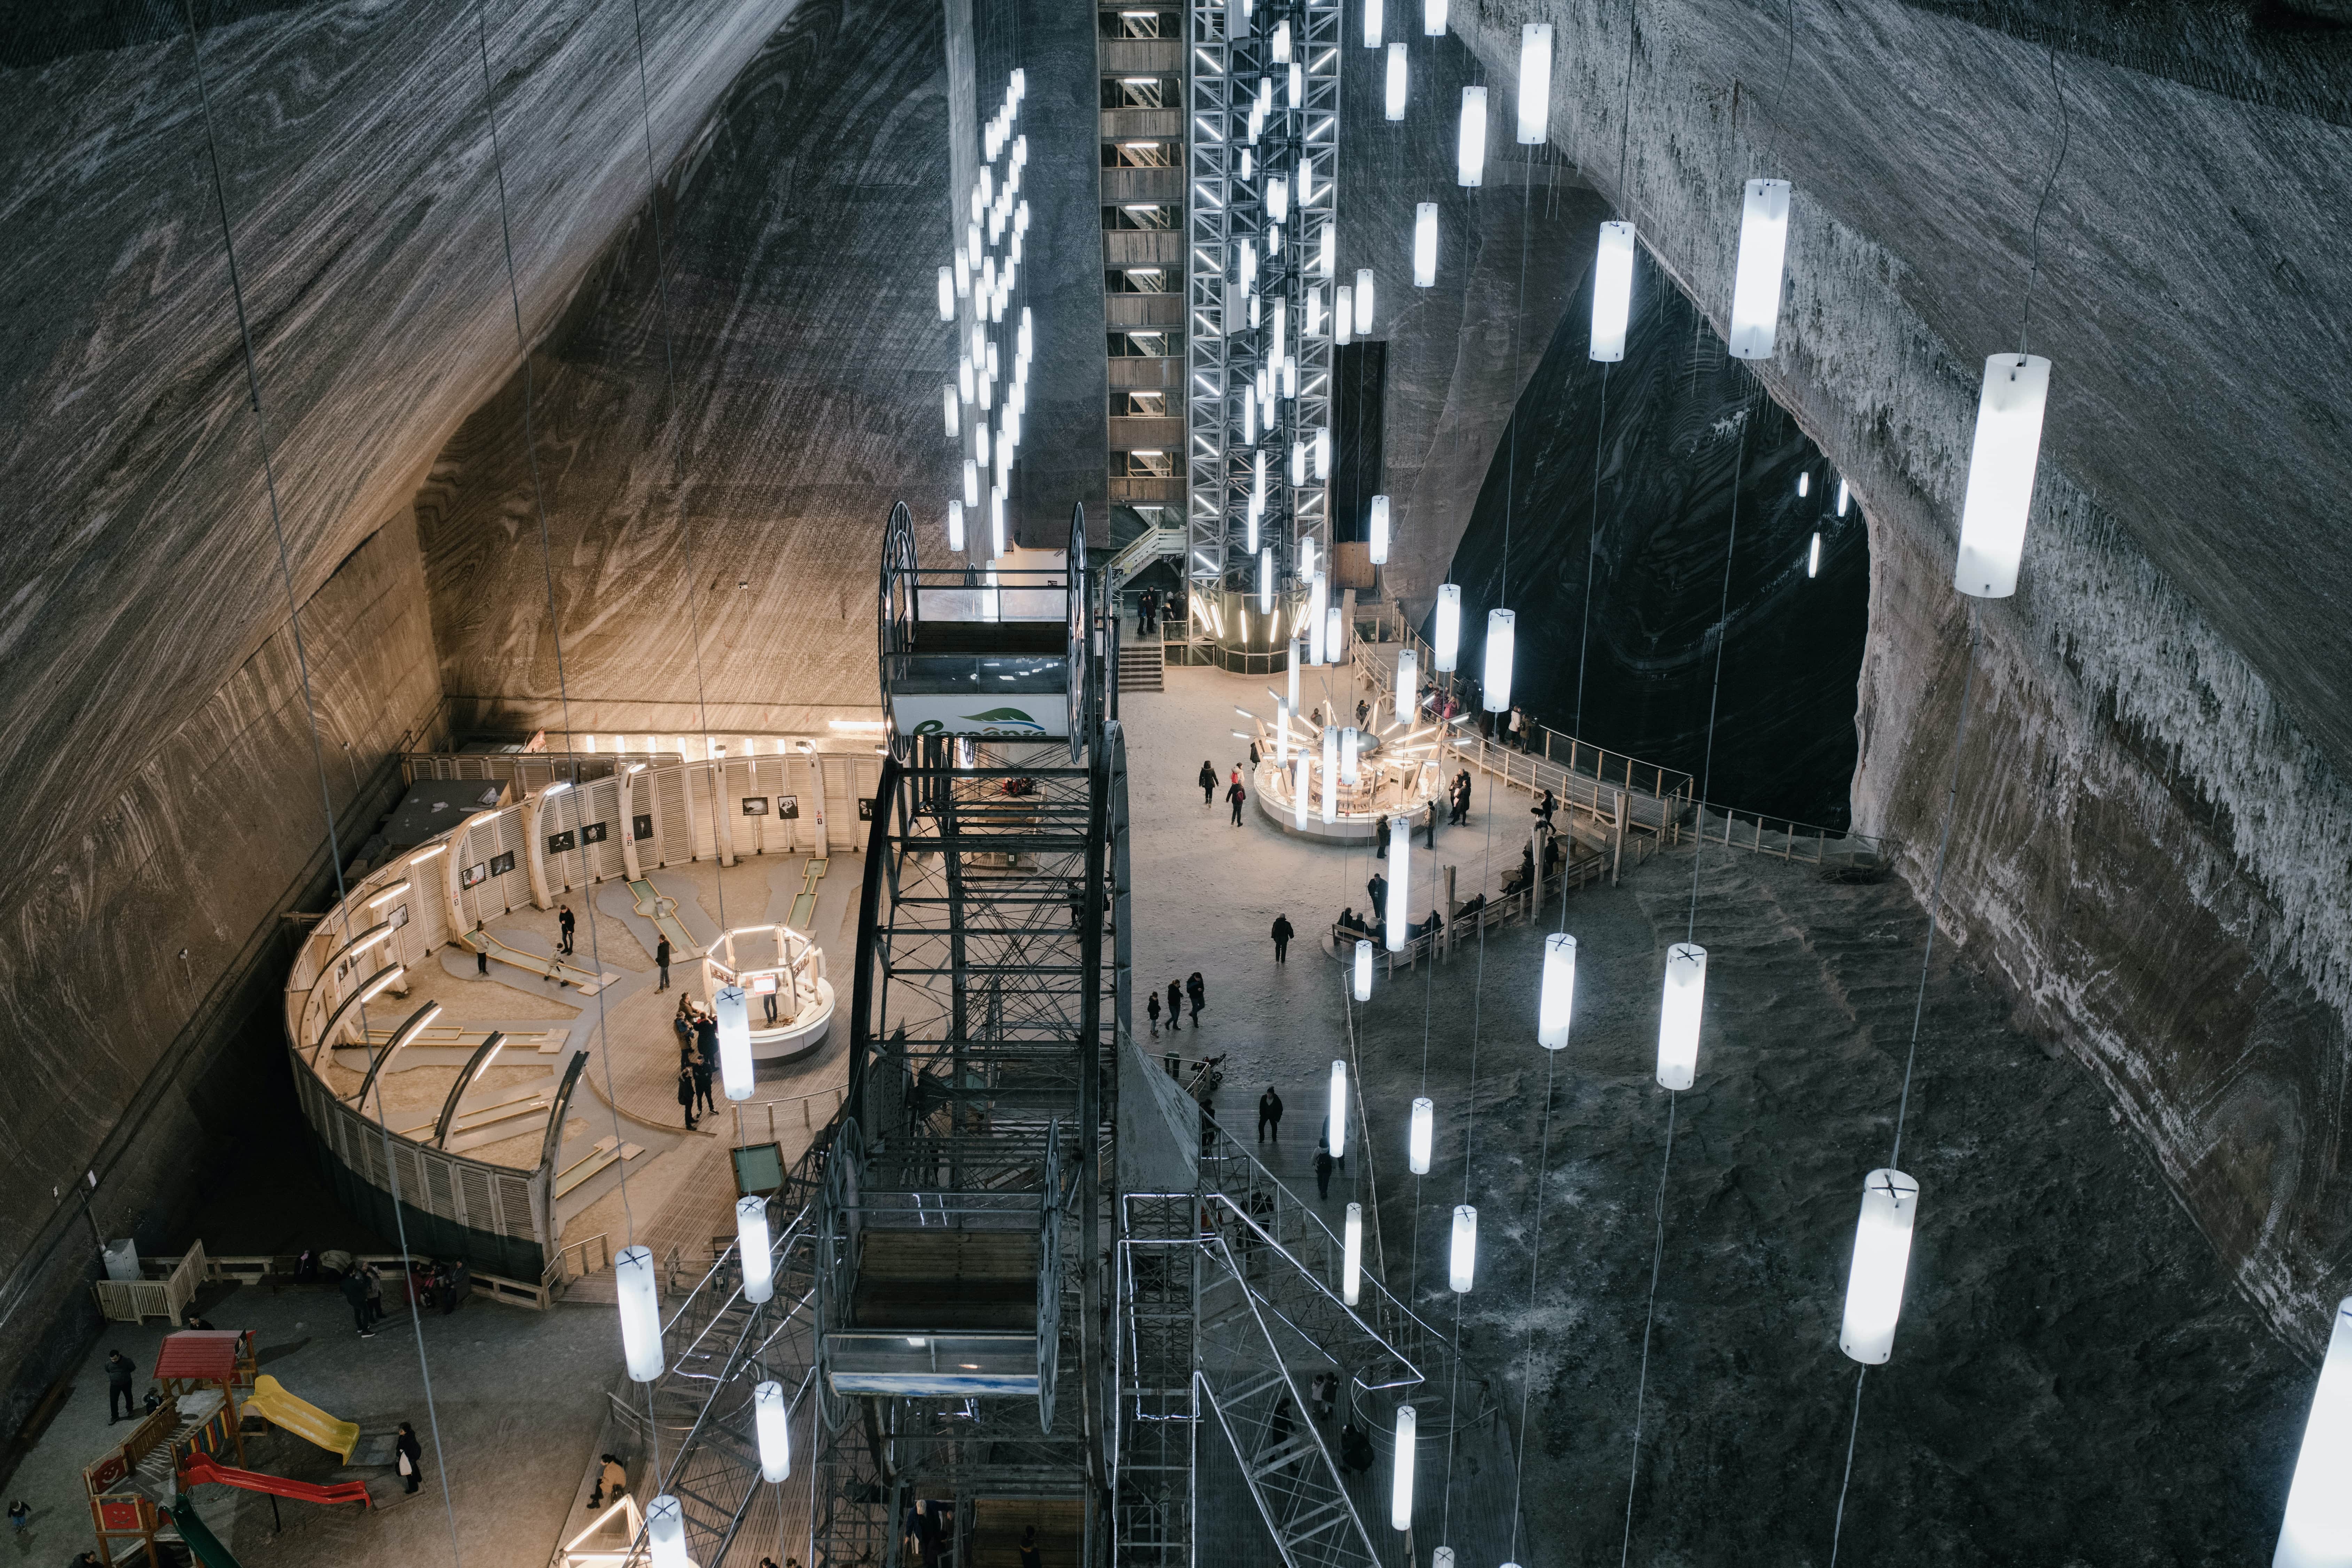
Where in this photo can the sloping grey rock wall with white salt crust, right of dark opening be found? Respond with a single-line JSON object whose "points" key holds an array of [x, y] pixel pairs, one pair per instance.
{"points": [[2156, 829]]}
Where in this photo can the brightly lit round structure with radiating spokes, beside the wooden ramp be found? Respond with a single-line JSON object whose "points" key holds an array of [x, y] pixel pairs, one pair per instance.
{"points": [[1342, 782]]}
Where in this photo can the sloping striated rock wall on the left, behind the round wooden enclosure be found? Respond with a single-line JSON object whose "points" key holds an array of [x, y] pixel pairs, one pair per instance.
{"points": [[154, 749]]}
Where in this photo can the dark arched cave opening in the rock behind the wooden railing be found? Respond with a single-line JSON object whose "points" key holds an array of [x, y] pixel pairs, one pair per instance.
{"points": [[1617, 626]]}
